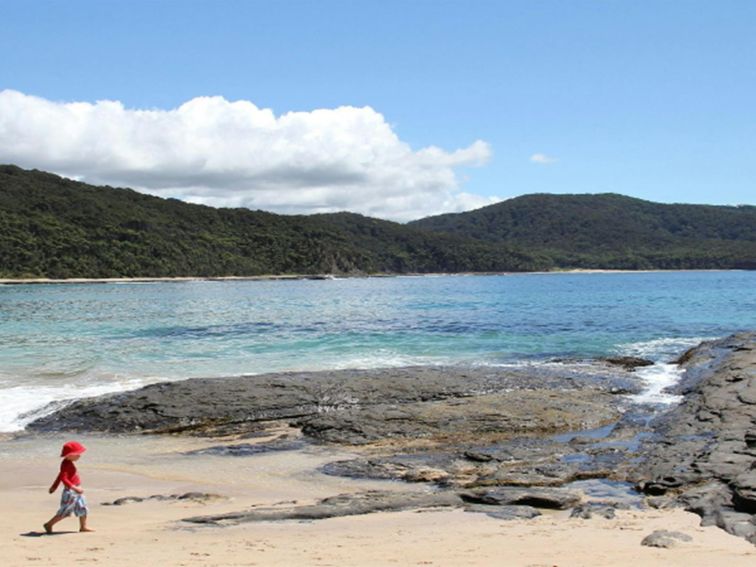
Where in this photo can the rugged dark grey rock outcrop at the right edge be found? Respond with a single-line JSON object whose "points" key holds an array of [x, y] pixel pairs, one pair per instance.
{"points": [[702, 453]]}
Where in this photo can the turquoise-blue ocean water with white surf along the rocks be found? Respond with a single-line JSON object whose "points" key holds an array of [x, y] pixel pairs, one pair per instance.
{"points": [[60, 342]]}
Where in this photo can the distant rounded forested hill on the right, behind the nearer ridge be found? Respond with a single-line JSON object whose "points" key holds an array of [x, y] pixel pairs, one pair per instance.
{"points": [[612, 231]]}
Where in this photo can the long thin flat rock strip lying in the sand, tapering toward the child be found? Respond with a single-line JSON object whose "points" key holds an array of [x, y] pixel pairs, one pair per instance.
{"points": [[336, 506]]}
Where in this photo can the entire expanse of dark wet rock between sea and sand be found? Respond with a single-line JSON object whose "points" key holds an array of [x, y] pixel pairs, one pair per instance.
{"points": [[476, 434]]}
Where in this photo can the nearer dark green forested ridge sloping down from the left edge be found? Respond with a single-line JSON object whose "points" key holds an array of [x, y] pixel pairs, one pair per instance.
{"points": [[59, 228]]}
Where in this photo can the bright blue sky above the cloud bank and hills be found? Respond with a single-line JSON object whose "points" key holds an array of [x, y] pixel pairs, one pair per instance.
{"points": [[649, 99]]}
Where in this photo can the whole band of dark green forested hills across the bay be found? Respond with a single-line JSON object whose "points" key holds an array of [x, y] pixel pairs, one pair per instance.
{"points": [[59, 228]]}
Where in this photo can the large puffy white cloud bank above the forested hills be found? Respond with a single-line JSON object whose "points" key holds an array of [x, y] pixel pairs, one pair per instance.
{"points": [[234, 154]]}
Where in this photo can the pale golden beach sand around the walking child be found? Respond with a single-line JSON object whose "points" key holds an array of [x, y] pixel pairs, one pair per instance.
{"points": [[151, 533]]}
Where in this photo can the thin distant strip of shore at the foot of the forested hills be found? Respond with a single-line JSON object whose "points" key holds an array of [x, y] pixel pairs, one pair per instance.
{"points": [[300, 277]]}
